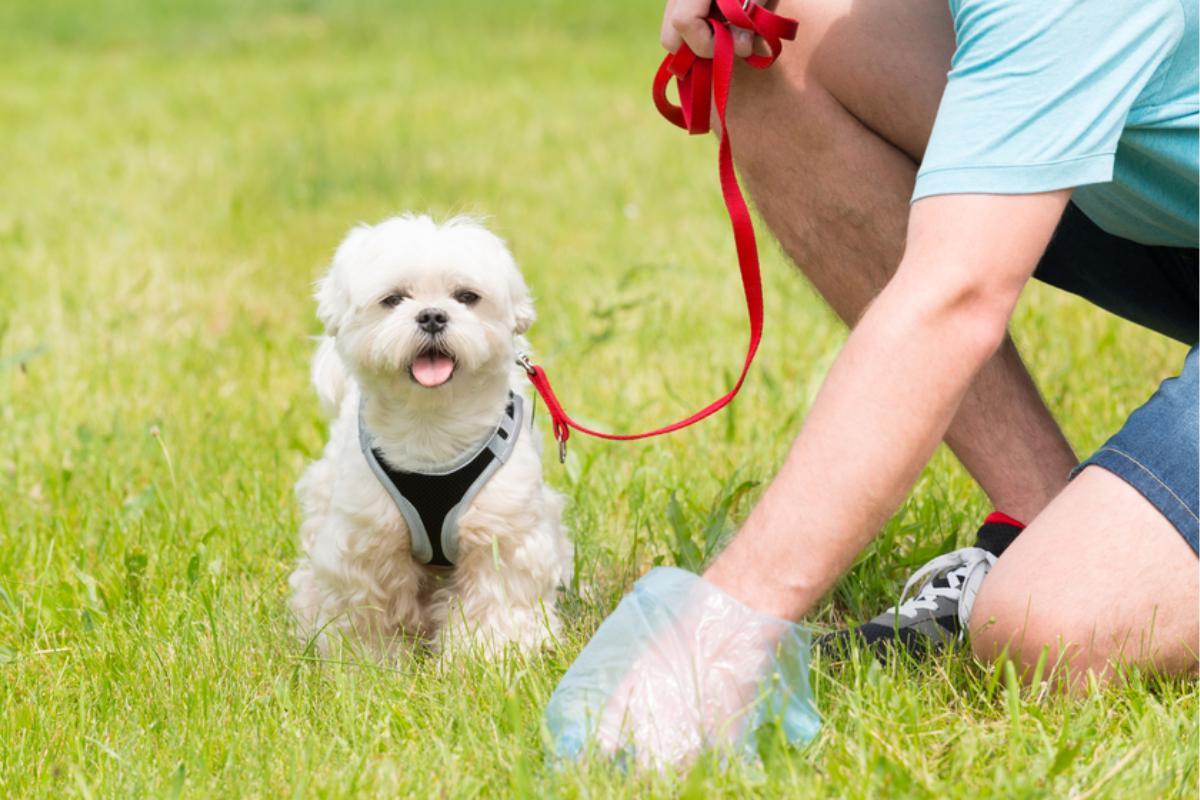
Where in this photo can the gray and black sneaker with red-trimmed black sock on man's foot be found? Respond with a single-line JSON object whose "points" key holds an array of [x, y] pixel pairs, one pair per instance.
{"points": [[935, 606]]}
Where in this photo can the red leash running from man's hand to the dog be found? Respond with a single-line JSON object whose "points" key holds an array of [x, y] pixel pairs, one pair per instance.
{"points": [[703, 86]]}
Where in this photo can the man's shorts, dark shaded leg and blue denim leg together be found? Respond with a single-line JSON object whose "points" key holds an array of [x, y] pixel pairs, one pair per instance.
{"points": [[1156, 450]]}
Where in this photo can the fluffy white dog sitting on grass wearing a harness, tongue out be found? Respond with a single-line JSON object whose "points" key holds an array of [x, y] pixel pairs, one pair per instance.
{"points": [[427, 518]]}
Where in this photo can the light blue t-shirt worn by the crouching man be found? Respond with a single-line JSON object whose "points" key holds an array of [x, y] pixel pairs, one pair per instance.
{"points": [[1099, 95]]}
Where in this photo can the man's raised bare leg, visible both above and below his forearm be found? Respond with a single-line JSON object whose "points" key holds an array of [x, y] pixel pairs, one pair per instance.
{"points": [[829, 143]]}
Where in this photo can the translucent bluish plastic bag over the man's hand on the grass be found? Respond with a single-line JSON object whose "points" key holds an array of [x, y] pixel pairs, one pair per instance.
{"points": [[681, 667]]}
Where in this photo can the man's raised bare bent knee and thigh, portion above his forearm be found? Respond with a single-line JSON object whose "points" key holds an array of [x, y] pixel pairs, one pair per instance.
{"points": [[827, 140]]}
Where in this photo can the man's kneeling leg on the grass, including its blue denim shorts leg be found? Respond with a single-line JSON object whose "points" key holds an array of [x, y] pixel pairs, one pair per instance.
{"points": [[1108, 573]]}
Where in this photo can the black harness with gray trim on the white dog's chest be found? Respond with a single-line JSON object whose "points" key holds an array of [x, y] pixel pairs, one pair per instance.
{"points": [[433, 503]]}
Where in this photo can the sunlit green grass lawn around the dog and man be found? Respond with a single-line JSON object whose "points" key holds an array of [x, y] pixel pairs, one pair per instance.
{"points": [[175, 177]]}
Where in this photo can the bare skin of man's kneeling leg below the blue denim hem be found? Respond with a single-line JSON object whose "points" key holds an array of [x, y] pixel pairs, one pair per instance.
{"points": [[1100, 578]]}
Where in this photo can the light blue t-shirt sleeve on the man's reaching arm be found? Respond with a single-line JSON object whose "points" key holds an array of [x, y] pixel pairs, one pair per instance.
{"points": [[1040, 91]]}
